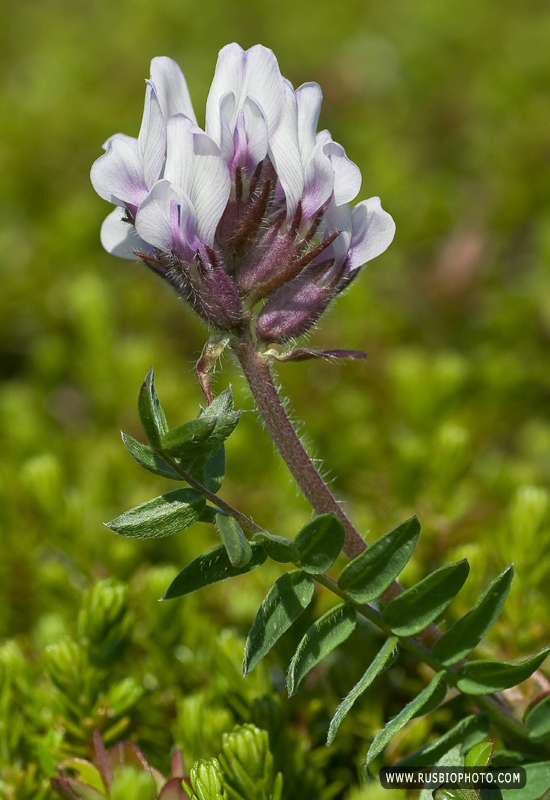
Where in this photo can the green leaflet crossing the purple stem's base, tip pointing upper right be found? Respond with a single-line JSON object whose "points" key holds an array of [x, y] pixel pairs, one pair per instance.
{"points": [[370, 574]]}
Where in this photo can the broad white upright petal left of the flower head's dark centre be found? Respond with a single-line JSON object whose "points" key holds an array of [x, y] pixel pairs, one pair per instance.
{"points": [[195, 165]]}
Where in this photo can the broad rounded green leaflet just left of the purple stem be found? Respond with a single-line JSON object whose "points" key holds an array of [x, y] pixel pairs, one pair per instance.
{"points": [[319, 543]]}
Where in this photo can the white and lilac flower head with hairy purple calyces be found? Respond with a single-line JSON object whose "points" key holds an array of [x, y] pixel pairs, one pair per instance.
{"points": [[253, 209]]}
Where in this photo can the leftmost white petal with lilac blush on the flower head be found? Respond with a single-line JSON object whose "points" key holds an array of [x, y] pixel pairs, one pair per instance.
{"points": [[117, 176]]}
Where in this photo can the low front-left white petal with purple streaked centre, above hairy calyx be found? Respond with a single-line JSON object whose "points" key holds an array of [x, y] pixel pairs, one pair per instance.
{"points": [[166, 220]]}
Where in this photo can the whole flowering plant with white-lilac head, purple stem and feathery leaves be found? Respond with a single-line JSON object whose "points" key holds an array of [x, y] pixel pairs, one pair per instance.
{"points": [[249, 220]]}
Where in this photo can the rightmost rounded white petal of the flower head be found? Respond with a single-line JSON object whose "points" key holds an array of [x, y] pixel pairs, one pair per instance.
{"points": [[372, 233]]}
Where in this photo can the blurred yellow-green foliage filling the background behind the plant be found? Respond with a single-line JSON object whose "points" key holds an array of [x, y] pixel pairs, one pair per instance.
{"points": [[444, 106]]}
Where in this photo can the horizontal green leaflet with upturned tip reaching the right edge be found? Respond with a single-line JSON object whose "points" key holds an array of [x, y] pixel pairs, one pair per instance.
{"points": [[485, 677]]}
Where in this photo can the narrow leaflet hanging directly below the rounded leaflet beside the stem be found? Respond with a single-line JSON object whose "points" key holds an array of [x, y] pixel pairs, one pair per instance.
{"points": [[322, 638]]}
